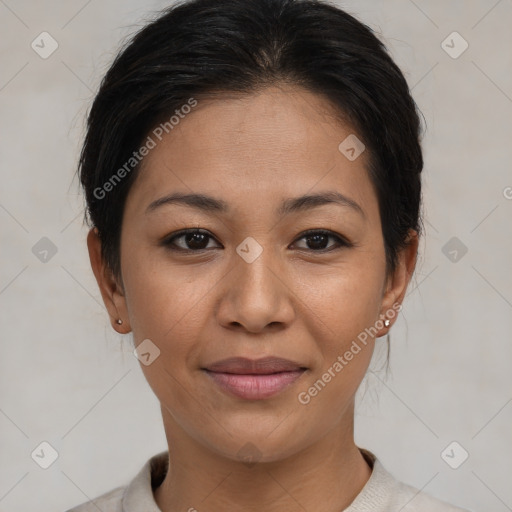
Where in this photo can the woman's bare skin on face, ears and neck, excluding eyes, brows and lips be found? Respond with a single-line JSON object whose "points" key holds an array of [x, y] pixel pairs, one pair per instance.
{"points": [[294, 301]]}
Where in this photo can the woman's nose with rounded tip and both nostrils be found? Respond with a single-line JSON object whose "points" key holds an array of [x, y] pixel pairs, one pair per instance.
{"points": [[255, 296]]}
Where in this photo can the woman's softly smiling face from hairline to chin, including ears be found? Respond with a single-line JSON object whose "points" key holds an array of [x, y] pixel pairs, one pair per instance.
{"points": [[252, 285]]}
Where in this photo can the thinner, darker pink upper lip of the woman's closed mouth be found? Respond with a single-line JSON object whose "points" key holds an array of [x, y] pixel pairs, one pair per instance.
{"points": [[245, 366]]}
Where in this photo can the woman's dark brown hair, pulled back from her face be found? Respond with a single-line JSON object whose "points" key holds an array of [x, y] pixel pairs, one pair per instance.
{"points": [[200, 47]]}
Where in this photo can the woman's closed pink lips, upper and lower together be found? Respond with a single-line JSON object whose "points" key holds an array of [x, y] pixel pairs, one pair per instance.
{"points": [[254, 379]]}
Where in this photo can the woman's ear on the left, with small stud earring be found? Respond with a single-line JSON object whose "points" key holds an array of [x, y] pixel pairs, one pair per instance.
{"points": [[111, 291]]}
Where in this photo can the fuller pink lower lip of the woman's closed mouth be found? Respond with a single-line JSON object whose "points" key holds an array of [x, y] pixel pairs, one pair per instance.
{"points": [[255, 387]]}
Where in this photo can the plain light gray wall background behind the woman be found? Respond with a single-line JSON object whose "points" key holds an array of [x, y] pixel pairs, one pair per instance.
{"points": [[67, 378]]}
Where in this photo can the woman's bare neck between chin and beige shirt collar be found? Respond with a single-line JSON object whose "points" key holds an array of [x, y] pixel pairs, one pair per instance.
{"points": [[328, 475]]}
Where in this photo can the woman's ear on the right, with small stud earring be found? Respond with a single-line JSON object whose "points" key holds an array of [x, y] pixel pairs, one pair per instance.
{"points": [[397, 282]]}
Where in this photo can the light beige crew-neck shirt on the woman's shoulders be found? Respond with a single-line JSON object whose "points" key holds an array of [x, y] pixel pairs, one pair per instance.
{"points": [[381, 493]]}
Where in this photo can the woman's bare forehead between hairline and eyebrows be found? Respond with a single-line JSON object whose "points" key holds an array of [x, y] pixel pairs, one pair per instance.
{"points": [[254, 150]]}
